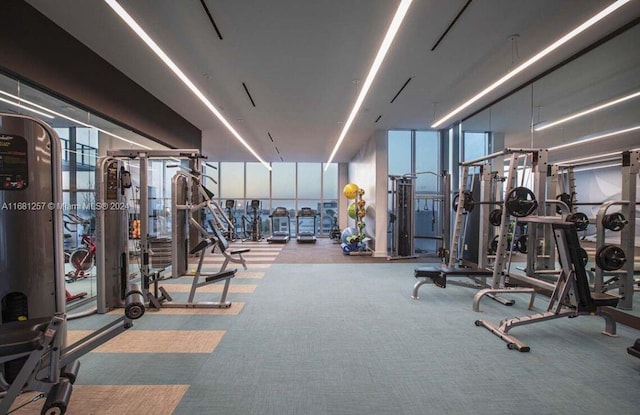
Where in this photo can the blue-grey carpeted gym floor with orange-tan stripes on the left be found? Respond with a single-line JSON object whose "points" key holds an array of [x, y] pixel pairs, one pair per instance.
{"points": [[341, 335]]}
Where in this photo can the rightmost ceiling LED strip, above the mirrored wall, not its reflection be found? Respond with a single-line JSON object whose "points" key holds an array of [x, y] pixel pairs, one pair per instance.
{"points": [[564, 39]]}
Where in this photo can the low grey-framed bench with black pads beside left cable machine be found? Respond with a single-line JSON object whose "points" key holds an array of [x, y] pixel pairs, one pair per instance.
{"points": [[165, 300]]}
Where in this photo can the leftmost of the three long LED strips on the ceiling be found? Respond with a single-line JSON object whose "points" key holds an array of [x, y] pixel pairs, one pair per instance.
{"points": [[178, 72]]}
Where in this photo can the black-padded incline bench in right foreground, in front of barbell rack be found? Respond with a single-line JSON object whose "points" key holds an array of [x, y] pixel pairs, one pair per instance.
{"points": [[571, 296]]}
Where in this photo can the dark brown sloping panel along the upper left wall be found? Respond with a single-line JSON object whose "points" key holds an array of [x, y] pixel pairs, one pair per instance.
{"points": [[35, 49]]}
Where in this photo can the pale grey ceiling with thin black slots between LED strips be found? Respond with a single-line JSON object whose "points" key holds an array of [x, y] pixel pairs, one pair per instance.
{"points": [[302, 59]]}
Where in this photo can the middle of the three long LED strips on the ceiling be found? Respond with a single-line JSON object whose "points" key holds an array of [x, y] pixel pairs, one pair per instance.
{"points": [[384, 48]]}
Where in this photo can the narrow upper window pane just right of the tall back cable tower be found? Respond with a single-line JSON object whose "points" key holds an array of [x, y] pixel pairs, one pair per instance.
{"points": [[427, 160]]}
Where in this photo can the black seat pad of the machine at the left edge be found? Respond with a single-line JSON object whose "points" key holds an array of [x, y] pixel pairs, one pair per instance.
{"points": [[21, 336]]}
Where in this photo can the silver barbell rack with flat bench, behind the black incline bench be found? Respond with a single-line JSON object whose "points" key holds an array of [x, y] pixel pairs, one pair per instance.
{"points": [[518, 201]]}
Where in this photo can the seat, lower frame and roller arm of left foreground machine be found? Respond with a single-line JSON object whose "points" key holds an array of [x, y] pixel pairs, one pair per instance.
{"points": [[35, 358]]}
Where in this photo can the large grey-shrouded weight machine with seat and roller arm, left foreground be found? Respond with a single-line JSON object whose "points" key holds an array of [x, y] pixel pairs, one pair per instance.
{"points": [[34, 353]]}
